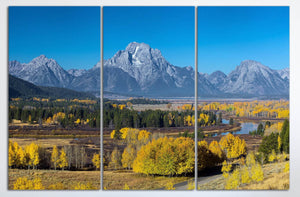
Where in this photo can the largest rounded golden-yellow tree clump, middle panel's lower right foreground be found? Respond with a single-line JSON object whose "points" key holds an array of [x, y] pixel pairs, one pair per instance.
{"points": [[166, 156]]}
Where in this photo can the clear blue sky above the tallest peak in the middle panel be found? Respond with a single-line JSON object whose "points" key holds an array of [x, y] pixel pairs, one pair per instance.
{"points": [[169, 29]]}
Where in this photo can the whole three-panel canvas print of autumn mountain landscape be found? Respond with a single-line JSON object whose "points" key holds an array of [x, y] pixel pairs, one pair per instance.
{"points": [[167, 118]]}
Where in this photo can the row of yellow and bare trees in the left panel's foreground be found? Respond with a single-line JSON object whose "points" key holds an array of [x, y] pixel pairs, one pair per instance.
{"points": [[33, 156]]}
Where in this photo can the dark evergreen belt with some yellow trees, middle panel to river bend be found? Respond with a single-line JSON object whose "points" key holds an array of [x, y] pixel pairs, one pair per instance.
{"points": [[119, 117]]}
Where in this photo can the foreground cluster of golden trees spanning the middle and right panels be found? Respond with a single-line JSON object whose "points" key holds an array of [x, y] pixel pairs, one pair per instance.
{"points": [[149, 155]]}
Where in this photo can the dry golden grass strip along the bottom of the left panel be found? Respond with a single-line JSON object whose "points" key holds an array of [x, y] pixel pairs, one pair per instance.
{"points": [[69, 179]]}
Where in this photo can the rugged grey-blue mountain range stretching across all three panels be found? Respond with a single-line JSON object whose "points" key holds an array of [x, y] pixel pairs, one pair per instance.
{"points": [[143, 71]]}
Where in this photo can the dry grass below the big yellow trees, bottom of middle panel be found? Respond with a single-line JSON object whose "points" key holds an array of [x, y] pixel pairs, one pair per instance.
{"points": [[115, 180]]}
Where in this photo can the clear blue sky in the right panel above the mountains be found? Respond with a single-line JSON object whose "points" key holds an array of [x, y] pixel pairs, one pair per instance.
{"points": [[229, 35]]}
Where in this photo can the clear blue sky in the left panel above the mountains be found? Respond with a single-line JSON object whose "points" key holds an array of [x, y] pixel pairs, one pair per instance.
{"points": [[70, 35]]}
